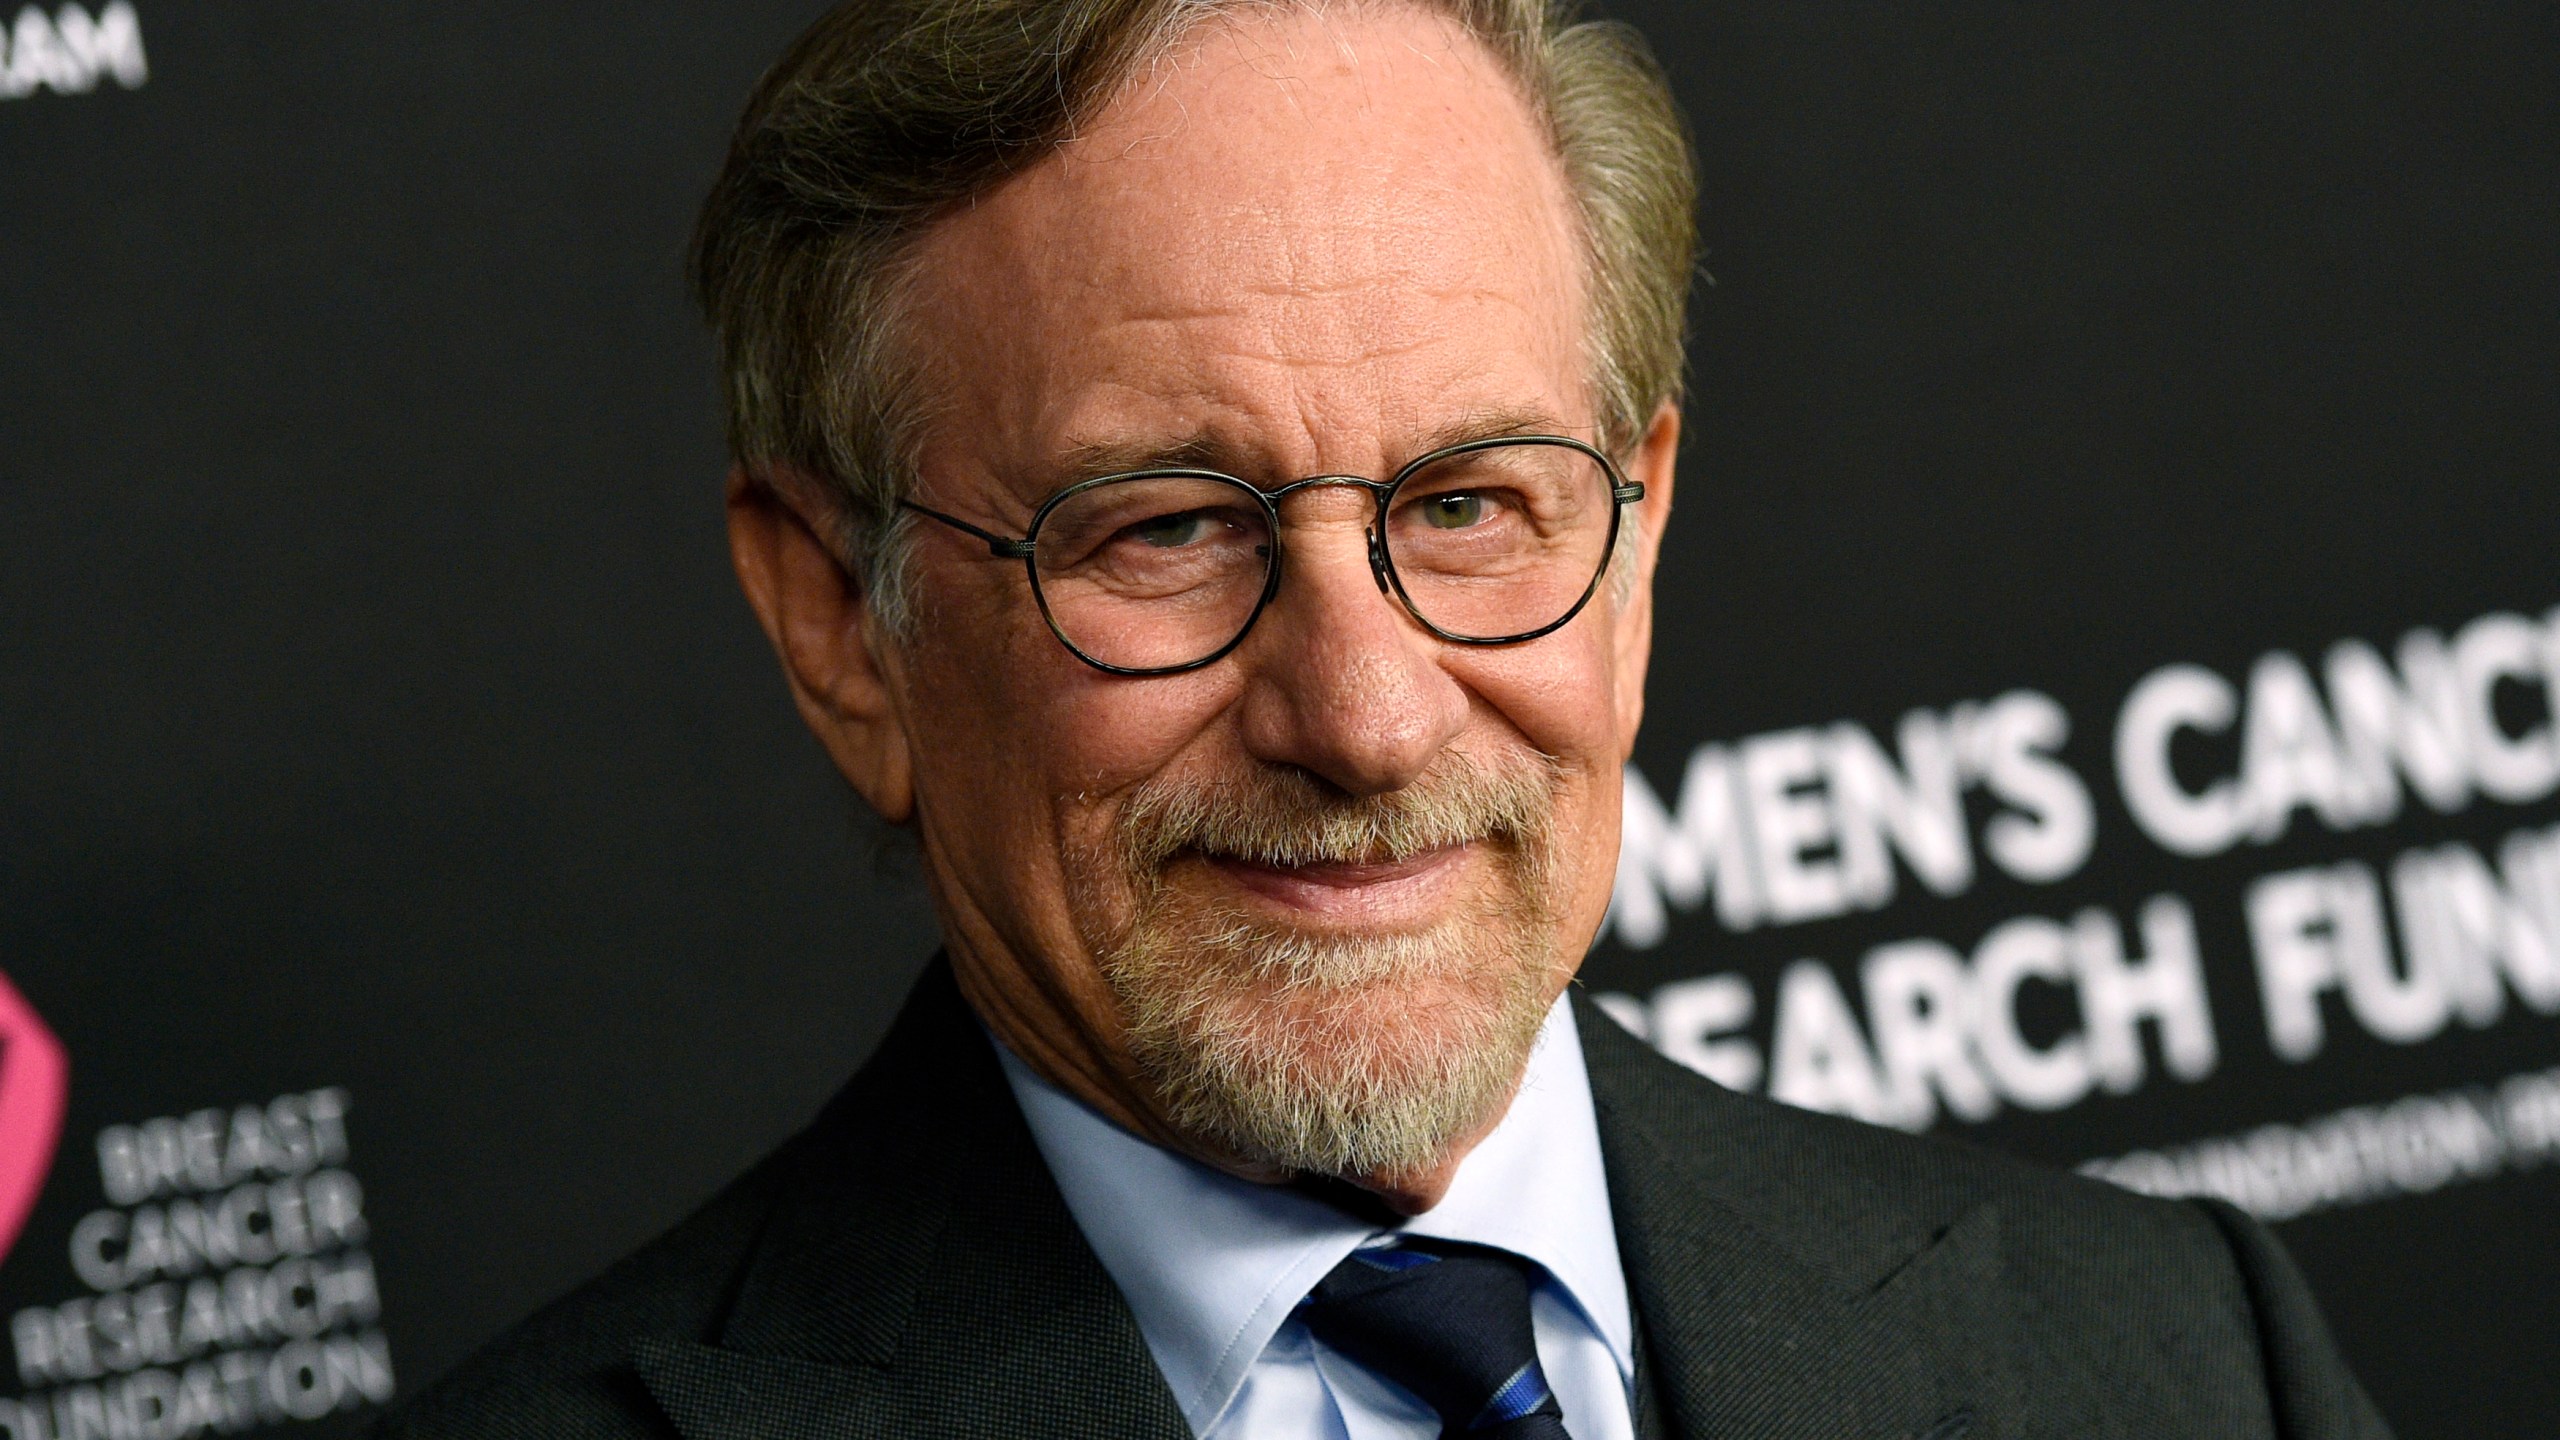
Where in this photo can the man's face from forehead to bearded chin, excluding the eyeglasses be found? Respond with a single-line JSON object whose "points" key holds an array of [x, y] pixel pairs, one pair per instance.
{"points": [[1307, 906]]}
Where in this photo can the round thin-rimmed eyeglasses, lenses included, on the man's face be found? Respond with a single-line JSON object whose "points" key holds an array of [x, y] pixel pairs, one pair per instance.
{"points": [[1166, 570]]}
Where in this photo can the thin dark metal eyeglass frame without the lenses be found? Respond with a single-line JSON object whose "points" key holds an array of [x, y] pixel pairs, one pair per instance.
{"points": [[1381, 562]]}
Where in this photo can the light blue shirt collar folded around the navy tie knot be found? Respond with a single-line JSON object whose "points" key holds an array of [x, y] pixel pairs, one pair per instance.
{"points": [[1212, 1264]]}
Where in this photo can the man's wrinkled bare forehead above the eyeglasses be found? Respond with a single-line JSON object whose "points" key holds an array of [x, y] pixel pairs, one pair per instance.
{"points": [[1302, 232]]}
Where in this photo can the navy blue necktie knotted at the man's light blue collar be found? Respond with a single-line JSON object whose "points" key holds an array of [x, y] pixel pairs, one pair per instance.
{"points": [[1448, 1323]]}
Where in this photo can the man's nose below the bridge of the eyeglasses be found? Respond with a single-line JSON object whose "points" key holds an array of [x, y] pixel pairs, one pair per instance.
{"points": [[1340, 680]]}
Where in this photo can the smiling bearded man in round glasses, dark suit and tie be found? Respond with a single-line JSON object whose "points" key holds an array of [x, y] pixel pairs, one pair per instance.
{"points": [[1202, 468]]}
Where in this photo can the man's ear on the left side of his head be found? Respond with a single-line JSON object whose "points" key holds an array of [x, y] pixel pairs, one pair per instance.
{"points": [[841, 670]]}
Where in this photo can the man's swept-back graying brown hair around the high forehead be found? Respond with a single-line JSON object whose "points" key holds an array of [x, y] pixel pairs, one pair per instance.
{"points": [[890, 114]]}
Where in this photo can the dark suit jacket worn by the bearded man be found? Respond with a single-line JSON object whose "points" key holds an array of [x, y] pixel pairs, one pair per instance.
{"points": [[905, 1267]]}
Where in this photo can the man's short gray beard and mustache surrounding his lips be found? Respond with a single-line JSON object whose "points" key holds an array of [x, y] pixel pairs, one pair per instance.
{"points": [[1338, 1054]]}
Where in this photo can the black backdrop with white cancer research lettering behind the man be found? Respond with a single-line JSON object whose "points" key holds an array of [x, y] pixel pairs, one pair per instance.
{"points": [[378, 719]]}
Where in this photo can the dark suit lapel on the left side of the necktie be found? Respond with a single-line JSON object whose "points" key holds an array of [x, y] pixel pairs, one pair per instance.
{"points": [[920, 1275]]}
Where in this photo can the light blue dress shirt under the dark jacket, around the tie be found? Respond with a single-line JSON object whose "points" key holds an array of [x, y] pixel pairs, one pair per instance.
{"points": [[1212, 1267]]}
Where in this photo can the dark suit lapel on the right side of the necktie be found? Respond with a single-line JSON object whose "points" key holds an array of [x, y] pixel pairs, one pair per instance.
{"points": [[1775, 1300]]}
